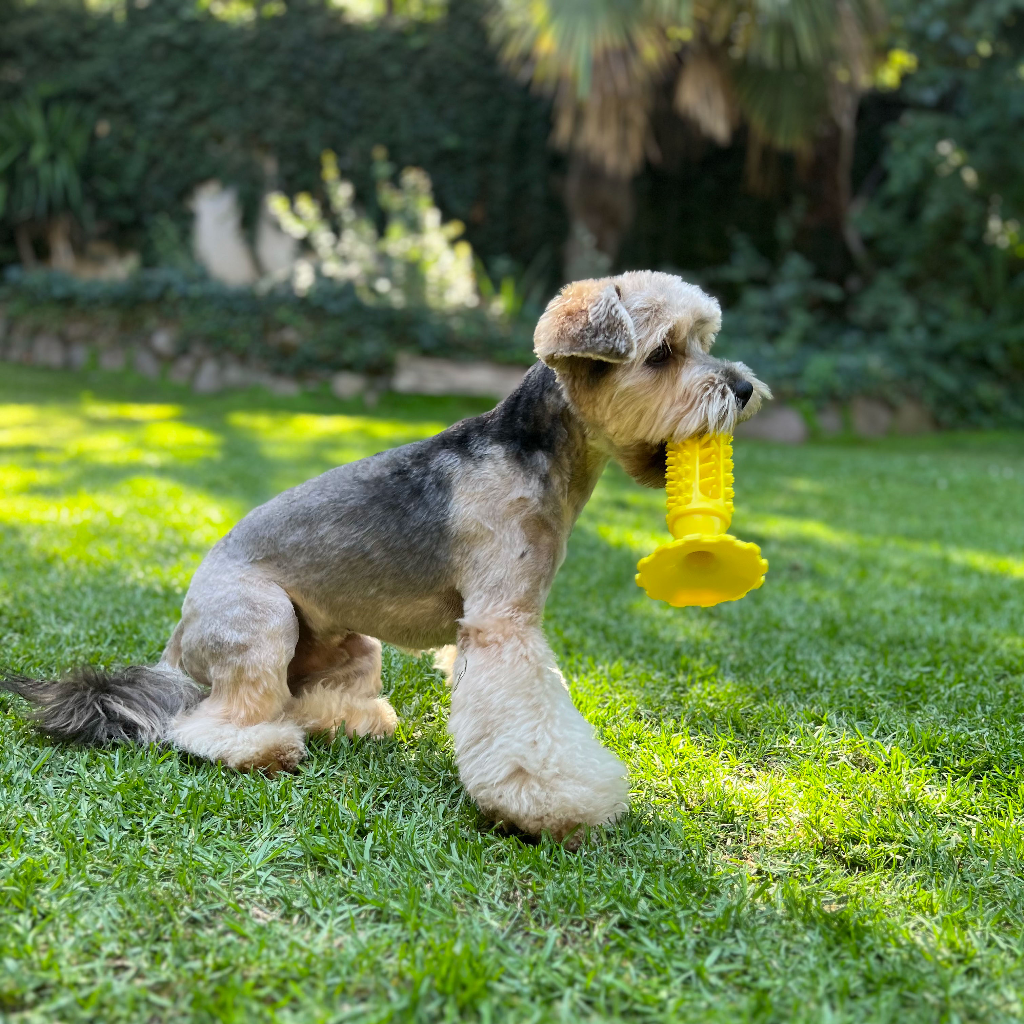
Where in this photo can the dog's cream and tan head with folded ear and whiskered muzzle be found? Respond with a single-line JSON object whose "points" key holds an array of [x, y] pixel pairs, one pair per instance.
{"points": [[632, 355]]}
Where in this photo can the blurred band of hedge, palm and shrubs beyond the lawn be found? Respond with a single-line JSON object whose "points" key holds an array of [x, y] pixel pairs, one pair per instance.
{"points": [[845, 178]]}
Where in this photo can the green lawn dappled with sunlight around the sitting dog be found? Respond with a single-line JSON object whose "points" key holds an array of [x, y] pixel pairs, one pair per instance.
{"points": [[828, 776]]}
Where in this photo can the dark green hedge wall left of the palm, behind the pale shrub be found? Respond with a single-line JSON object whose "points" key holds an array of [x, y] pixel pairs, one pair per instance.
{"points": [[184, 95]]}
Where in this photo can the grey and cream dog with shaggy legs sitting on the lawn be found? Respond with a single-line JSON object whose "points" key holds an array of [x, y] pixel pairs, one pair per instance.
{"points": [[456, 539]]}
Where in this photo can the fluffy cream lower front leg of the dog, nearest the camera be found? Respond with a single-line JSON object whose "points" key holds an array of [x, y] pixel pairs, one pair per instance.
{"points": [[526, 755]]}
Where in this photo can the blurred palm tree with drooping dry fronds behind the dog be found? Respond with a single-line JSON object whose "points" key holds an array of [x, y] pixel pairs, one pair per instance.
{"points": [[784, 68]]}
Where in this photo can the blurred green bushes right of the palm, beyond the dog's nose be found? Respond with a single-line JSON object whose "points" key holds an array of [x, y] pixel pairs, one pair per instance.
{"points": [[940, 314]]}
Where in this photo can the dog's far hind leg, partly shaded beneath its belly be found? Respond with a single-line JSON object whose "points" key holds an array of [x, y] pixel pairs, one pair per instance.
{"points": [[337, 682]]}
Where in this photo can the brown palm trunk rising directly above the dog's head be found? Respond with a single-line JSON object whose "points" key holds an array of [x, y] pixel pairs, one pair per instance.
{"points": [[602, 210]]}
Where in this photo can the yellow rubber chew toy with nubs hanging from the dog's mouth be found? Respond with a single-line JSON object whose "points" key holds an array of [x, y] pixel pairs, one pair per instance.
{"points": [[704, 566]]}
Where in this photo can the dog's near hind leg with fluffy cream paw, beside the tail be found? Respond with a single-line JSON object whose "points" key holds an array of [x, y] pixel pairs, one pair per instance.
{"points": [[238, 635]]}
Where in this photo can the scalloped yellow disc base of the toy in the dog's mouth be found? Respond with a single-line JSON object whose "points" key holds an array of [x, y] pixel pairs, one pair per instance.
{"points": [[702, 571]]}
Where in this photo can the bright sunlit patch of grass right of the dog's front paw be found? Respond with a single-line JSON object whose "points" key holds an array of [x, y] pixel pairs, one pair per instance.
{"points": [[819, 791]]}
